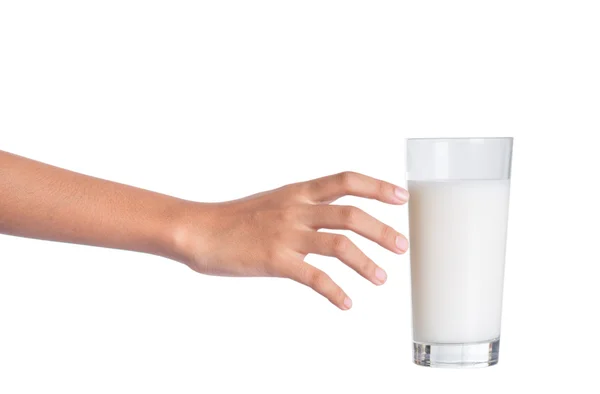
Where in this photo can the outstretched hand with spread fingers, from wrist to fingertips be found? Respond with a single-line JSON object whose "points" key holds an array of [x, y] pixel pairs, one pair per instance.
{"points": [[270, 234]]}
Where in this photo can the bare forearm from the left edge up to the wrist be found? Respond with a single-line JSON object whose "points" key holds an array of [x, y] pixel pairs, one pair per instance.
{"points": [[45, 202]]}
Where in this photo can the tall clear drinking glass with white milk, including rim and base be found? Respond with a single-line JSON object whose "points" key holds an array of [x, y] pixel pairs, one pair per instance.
{"points": [[458, 214]]}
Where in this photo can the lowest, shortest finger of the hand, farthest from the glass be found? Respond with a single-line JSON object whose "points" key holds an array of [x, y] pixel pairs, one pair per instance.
{"points": [[320, 282]]}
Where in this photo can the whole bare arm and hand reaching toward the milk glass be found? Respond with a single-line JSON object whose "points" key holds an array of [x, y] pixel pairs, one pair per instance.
{"points": [[267, 234]]}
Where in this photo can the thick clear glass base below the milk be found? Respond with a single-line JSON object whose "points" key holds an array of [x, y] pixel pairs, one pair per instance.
{"points": [[456, 355]]}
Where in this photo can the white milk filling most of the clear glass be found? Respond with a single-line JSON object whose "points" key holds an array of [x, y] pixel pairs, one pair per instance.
{"points": [[458, 238]]}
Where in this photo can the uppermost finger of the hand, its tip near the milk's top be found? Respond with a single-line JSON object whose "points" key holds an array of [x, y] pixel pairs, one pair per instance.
{"points": [[330, 188]]}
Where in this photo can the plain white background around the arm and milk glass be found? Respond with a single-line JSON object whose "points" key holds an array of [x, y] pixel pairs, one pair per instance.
{"points": [[215, 100]]}
